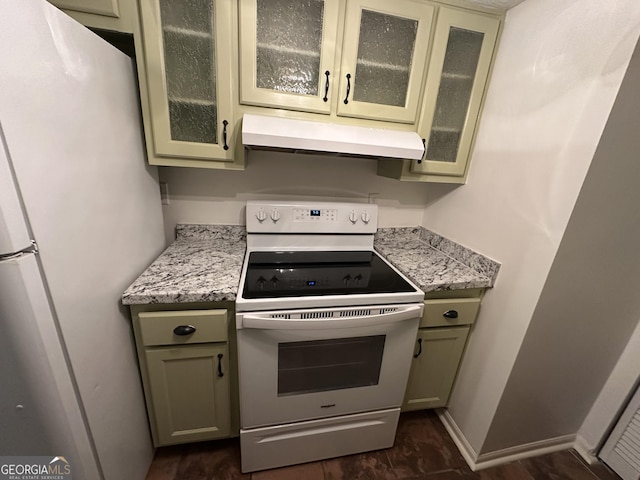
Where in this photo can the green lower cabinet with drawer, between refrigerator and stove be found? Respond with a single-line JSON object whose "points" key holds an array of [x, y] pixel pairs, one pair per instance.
{"points": [[187, 373]]}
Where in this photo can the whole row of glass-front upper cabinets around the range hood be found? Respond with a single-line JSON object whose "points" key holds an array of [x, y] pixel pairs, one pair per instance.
{"points": [[412, 65]]}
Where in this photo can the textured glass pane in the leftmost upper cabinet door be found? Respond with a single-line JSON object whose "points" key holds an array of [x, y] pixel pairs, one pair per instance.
{"points": [[190, 69]]}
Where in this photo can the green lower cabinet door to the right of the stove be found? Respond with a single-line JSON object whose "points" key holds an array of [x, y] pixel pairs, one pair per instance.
{"points": [[437, 355]]}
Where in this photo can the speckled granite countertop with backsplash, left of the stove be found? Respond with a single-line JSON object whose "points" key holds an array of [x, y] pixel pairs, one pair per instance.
{"points": [[202, 265]]}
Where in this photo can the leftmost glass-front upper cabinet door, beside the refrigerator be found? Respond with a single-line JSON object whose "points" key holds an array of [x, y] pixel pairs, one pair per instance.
{"points": [[188, 78]]}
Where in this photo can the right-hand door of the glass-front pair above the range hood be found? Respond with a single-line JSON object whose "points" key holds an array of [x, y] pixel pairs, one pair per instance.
{"points": [[383, 59]]}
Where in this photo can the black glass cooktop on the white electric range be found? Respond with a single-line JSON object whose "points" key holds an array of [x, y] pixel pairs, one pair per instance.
{"points": [[299, 274]]}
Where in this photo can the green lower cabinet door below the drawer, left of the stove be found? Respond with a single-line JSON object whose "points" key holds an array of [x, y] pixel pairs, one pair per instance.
{"points": [[189, 388]]}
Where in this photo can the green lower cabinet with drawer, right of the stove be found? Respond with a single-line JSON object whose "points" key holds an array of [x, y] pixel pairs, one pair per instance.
{"points": [[439, 347]]}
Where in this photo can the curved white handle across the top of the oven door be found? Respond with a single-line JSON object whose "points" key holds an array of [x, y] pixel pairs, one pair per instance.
{"points": [[389, 314]]}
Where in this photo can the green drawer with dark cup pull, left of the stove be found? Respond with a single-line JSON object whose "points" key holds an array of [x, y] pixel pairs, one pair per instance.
{"points": [[157, 328]]}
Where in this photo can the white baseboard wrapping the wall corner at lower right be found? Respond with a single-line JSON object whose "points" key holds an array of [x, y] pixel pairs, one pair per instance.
{"points": [[499, 457]]}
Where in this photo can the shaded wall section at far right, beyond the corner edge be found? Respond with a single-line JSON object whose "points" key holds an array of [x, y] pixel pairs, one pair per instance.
{"points": [[589, 306]]}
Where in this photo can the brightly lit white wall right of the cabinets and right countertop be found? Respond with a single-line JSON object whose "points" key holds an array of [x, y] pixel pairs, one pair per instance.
{"points": [[558, 69]]}
